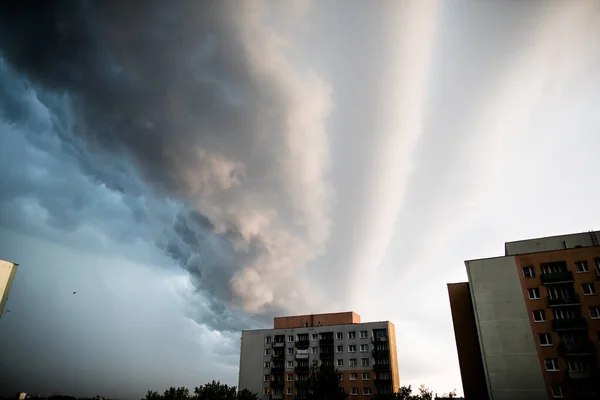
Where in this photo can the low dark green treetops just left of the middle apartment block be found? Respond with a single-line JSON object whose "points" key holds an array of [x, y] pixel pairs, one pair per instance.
{"points": [[214, 390]]}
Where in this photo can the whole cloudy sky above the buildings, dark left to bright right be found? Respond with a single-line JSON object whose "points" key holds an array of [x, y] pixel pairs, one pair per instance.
{"points": [[196, 170]]}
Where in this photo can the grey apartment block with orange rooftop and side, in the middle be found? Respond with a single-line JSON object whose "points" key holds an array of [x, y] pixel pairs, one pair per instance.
{"points": [[276, 363]]}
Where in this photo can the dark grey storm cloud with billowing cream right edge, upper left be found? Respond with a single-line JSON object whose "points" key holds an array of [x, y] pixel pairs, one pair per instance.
{"points": [[201, 97]]}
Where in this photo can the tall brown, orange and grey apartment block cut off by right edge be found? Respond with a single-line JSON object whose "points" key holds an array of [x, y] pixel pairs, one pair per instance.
{"points": [[527, 324]]}
